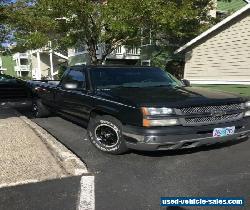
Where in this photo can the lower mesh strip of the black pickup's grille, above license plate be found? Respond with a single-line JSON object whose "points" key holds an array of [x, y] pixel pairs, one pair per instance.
{"points": [[212, 119]]}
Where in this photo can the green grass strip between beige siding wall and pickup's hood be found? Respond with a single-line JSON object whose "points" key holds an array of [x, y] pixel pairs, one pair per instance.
{"points": [[240, 89]]}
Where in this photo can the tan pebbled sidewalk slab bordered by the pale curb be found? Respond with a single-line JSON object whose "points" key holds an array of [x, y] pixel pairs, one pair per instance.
{"points": [[23, 156]]}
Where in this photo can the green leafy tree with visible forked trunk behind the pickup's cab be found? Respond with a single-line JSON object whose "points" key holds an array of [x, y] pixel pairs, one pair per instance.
{"points": [[67, 22]]}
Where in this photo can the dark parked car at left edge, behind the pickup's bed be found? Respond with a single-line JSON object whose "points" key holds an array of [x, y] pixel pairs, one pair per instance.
{"points": [[13, 88]]}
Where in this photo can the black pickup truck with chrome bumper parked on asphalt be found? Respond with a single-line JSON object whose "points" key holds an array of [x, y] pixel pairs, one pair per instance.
{"points": [[143, 108]]}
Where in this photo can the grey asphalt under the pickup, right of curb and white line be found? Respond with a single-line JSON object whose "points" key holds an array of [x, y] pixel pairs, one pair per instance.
{"points": [[137, 180]]}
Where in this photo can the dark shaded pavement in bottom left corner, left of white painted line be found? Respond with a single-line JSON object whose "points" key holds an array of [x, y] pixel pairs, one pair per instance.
{"points": [[53, 194]]}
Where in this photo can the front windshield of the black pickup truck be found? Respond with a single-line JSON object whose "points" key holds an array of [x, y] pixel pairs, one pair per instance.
{"points": [[132, 77]]}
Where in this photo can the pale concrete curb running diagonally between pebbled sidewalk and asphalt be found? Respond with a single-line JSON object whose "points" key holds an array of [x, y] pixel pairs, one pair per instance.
{"points": [[70, 162]]}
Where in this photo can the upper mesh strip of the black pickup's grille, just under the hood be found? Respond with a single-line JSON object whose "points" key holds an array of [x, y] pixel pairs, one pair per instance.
{"points": [[210, 109]]}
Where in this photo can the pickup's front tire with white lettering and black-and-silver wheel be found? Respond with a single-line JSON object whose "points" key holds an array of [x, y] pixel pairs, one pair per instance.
{"points": [[105, 133]]}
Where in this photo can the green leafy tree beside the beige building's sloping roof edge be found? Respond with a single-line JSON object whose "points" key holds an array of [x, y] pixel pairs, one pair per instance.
{"points": [[175, 23]]}
